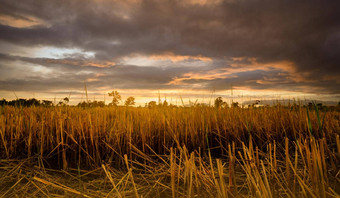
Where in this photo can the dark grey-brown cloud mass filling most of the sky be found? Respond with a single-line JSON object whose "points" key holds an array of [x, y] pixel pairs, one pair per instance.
{"points": [[306, 33]]}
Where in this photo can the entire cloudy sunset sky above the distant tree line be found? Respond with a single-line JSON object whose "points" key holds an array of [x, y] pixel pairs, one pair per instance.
{"points": [[190, 49]]}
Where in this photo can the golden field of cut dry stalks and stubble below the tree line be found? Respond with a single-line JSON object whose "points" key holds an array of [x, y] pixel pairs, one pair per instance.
{"points": [[280, 151]]}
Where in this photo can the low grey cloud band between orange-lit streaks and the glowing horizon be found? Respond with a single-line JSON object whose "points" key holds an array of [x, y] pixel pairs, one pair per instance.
{"points": [[76, 73]]}
